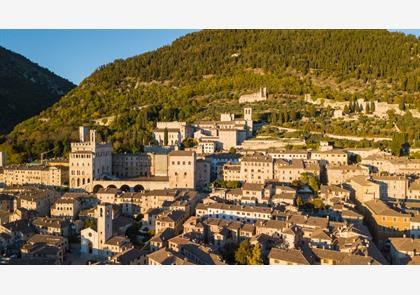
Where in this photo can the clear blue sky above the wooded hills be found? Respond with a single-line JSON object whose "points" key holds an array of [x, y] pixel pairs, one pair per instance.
{"points": [[75, 54]]}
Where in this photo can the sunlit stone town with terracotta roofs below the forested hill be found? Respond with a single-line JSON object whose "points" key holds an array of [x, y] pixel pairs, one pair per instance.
{"points": [[212, 193]]}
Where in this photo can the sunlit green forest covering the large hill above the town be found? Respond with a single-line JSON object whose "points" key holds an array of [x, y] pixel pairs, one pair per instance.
{"points": [[203, 73]]}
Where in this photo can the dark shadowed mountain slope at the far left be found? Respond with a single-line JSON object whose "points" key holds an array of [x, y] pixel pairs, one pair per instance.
{"points": [[26, 89]]}
